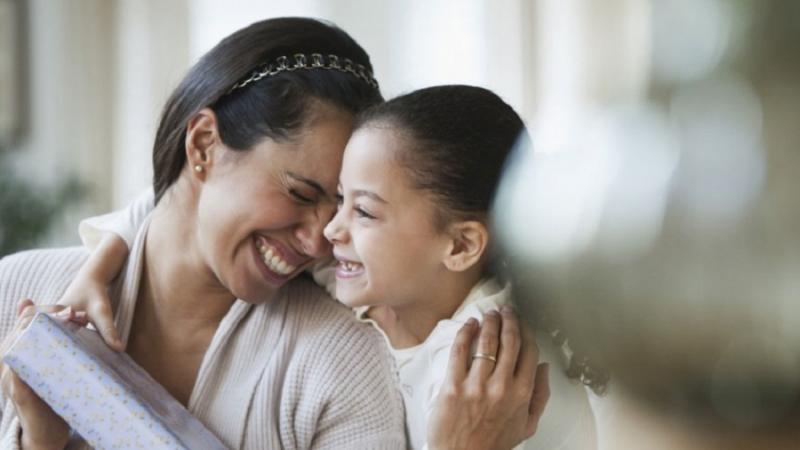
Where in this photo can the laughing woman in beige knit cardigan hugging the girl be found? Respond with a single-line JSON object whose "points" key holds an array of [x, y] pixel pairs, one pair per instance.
{"points": [[246, 158]]}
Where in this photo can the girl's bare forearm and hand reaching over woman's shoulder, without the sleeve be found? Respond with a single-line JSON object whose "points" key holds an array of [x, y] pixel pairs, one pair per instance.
{"points": [[88, 291]]}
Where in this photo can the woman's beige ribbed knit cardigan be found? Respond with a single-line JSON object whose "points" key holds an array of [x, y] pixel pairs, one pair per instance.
{"points": [[295, 373]]}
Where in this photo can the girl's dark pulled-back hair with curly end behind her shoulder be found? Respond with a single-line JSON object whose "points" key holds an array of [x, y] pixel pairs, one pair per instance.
{"points": [[459, 140]]}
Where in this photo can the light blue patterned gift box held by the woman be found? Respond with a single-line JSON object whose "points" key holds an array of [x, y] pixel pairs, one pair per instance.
{"points": [[103, 395]]}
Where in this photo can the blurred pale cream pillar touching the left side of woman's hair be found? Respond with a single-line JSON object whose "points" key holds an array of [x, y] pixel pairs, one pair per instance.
{"points": [[151, 55]]}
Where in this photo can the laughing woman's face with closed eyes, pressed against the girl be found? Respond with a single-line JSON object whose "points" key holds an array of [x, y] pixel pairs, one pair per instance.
{"points": [[261, 212]]}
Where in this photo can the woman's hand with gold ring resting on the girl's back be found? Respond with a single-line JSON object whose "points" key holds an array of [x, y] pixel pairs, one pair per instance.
{"points": [[485, 404]]}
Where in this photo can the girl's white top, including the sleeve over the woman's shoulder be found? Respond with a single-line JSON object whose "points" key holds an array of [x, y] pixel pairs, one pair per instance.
{"points": [[567, 423]]}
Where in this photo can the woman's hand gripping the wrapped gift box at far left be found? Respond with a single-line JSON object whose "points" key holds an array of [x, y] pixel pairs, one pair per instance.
{"points": [[41, 427]]}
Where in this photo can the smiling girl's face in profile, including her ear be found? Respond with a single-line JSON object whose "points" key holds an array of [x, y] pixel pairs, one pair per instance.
{"points": [[384, 238]]}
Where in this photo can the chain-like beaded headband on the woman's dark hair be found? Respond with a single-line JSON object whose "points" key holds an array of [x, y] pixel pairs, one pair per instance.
{"points": [[318, 61]]}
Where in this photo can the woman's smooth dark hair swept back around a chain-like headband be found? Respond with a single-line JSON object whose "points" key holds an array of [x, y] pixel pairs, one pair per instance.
{"points": [[272, 107]]}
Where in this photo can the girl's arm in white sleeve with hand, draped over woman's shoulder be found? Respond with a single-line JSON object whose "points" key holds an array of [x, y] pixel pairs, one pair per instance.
{"points": [[109, 238]]}
